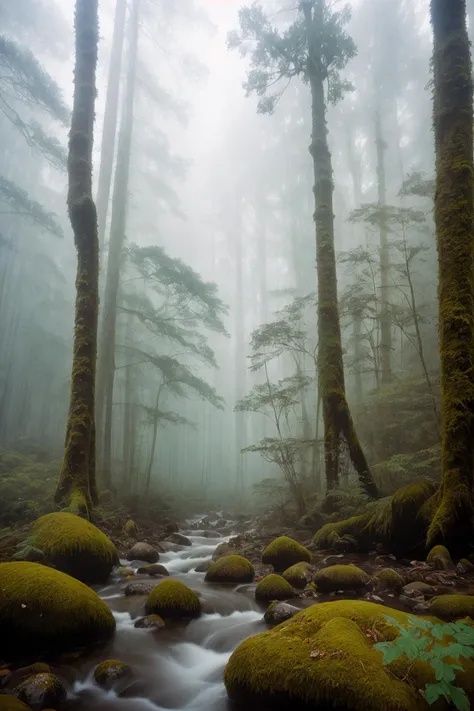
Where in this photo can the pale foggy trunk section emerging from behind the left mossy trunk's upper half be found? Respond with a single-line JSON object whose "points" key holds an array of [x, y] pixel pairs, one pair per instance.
{"points": [[109, 128]]}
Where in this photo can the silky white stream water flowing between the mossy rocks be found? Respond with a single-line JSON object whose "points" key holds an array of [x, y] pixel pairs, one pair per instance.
{"points": [[181, 666]]}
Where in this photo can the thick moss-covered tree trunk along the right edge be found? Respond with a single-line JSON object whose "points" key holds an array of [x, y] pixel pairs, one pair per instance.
{"points": [[454, 211]]}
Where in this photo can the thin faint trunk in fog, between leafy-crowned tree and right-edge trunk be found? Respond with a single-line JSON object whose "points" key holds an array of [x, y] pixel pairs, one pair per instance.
{"points": [[385, 320]]}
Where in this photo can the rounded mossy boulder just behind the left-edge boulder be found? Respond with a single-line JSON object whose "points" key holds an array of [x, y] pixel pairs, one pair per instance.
{"points": [[74, 546]]}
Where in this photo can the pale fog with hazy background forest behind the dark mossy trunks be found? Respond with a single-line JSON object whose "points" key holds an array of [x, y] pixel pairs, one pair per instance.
{"points": [[206, 189]]}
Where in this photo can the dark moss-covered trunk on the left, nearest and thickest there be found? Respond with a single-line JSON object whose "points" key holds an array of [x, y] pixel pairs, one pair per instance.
{"points": [[77, 487]]}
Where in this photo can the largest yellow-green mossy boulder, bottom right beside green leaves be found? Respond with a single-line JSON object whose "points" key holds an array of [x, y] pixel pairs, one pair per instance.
{"points": [[323, 658]]}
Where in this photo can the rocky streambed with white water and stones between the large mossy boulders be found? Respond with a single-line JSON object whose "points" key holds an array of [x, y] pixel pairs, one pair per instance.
{"points": [[180, 665]]}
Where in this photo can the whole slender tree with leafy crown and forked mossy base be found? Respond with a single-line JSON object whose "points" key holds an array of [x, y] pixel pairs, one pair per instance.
{"points": [[315, 47]]}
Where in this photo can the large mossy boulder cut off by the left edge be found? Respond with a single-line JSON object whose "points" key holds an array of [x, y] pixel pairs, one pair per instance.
{"points": [[45, 611]]}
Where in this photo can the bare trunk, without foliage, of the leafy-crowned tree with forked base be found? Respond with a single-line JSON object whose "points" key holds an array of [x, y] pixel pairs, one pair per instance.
{"points": [[339, 430]]}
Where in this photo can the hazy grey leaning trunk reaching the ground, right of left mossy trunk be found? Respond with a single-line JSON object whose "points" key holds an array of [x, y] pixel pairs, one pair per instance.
{"points": [[106, 363]]}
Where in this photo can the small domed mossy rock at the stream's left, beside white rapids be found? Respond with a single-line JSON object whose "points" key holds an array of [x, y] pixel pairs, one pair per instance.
{"points": [[171, 599]]}
